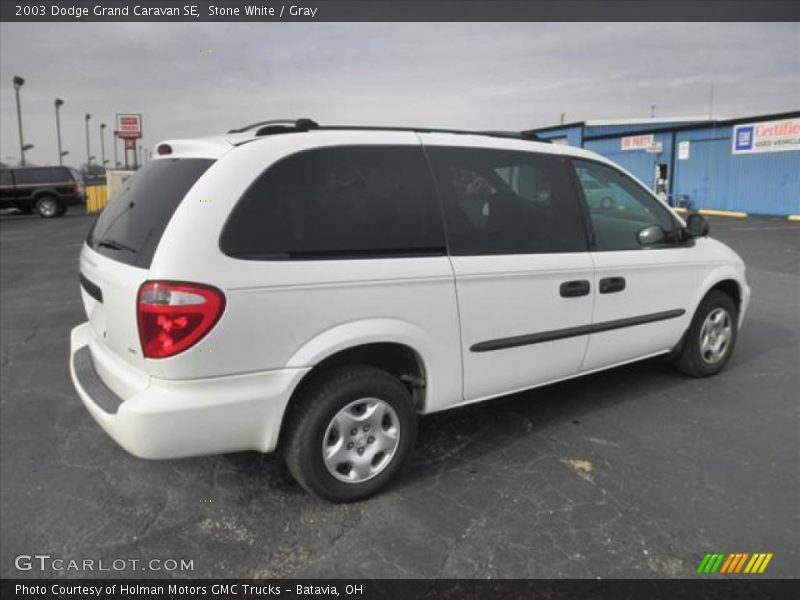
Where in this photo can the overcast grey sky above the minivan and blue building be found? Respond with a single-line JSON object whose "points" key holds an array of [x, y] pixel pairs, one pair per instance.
{"points": [[197, 79]]}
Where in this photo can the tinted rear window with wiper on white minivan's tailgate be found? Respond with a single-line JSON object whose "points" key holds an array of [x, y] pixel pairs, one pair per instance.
{"points": [[130, 227]]}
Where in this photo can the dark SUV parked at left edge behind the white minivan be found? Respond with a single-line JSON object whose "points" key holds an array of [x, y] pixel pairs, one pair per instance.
{"points": [[46, 190]]}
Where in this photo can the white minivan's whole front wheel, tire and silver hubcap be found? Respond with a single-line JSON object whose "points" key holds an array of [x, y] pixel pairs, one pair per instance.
{"points": [[711, 336]]}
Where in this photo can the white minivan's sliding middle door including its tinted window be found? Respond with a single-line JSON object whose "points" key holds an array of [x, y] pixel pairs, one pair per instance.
{"points": [[523, 273]]}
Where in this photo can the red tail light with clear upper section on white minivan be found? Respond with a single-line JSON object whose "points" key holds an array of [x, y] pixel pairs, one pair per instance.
{"points": [[174, 316]]}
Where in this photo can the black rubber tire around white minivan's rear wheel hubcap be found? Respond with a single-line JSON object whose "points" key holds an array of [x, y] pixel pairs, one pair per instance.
{"points": [[313, 412]]}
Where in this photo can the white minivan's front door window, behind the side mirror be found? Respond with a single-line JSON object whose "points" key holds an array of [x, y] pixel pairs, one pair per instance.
{"points": [[619, 208]]}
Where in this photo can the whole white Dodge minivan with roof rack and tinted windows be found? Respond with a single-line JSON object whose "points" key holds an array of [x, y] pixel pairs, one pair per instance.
{"points": [[315, 289]]}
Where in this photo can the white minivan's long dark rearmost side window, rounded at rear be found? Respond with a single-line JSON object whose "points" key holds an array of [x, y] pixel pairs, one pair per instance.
{"points": [[339, 202]]}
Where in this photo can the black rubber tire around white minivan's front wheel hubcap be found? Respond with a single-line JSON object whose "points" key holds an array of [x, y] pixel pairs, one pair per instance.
{"points": [[691, 360]]}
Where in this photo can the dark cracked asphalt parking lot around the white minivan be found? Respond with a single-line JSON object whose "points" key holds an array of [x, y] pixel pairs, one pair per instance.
{"points": [[634, 472]]}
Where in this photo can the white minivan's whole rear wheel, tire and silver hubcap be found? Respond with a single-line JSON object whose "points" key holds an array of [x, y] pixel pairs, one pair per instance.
{"points": [[349, 433]]}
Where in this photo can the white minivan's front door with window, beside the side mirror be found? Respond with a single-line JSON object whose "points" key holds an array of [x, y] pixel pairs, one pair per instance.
{"points": [[644, 292]]}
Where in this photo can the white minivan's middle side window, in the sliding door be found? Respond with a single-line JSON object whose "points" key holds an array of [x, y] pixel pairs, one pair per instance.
{"points": [[507, 202]]}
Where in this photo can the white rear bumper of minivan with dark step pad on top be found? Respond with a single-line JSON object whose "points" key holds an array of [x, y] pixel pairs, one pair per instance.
{"points": [[171, 419]]}
